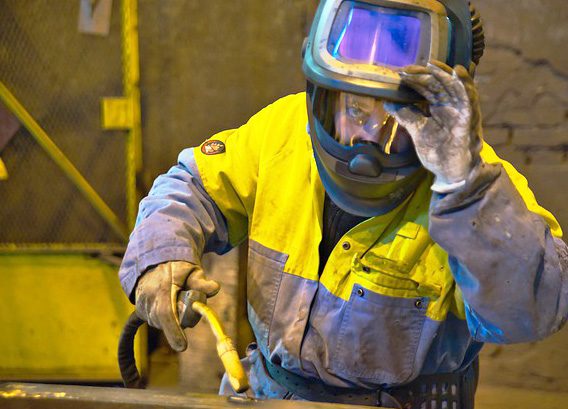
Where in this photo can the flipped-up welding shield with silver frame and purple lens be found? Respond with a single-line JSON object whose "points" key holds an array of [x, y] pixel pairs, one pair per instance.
{"points": [[359, 47]]}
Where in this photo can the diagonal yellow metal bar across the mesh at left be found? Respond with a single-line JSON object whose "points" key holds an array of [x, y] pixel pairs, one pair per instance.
{"points": [[61, 160]]}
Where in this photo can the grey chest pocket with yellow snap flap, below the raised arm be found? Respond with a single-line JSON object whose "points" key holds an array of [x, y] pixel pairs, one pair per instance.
{"points": [[386, 311]]}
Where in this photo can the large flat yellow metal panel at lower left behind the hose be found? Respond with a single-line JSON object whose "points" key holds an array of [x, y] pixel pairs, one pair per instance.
{"points": [[61, 318]]}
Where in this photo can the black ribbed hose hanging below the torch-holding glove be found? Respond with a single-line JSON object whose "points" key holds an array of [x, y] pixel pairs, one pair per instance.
{"points": [[126, 361]]}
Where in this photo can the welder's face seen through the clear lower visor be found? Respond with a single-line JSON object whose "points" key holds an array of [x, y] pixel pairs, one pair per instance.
{"points": [[362, 119]]}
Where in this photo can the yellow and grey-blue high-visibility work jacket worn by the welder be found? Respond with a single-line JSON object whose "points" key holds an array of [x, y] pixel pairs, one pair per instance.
{"points": [[417, 290]]}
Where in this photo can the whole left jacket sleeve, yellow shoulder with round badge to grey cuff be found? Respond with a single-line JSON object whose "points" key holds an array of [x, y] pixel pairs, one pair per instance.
{"points": [[201, 205]]}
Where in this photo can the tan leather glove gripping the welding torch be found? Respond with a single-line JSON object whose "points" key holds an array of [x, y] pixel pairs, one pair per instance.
{"points": [[156, 296]]}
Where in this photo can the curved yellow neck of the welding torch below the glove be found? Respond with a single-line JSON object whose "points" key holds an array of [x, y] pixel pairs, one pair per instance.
{"points": [[225, 348]]}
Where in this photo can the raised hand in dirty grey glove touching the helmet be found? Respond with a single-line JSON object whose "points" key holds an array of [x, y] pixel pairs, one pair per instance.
{"points": [[447, 136]]}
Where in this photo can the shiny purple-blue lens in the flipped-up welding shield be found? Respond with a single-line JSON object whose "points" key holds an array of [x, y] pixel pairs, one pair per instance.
{"points": [[375, 35]]}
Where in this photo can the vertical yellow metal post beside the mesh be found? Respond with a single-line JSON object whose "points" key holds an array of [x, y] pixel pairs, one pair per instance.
{"points": [[131, 84]]}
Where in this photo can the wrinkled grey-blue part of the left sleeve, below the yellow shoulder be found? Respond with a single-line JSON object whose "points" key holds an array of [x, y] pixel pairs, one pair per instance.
{"points": [[178, 220]]}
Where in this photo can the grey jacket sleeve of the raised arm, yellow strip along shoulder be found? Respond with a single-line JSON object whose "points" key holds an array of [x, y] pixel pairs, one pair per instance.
{"points": [[506, 255]]}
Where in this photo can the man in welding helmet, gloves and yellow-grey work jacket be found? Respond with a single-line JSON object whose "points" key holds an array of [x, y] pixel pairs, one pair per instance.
{"points": [[387, 243]]}
